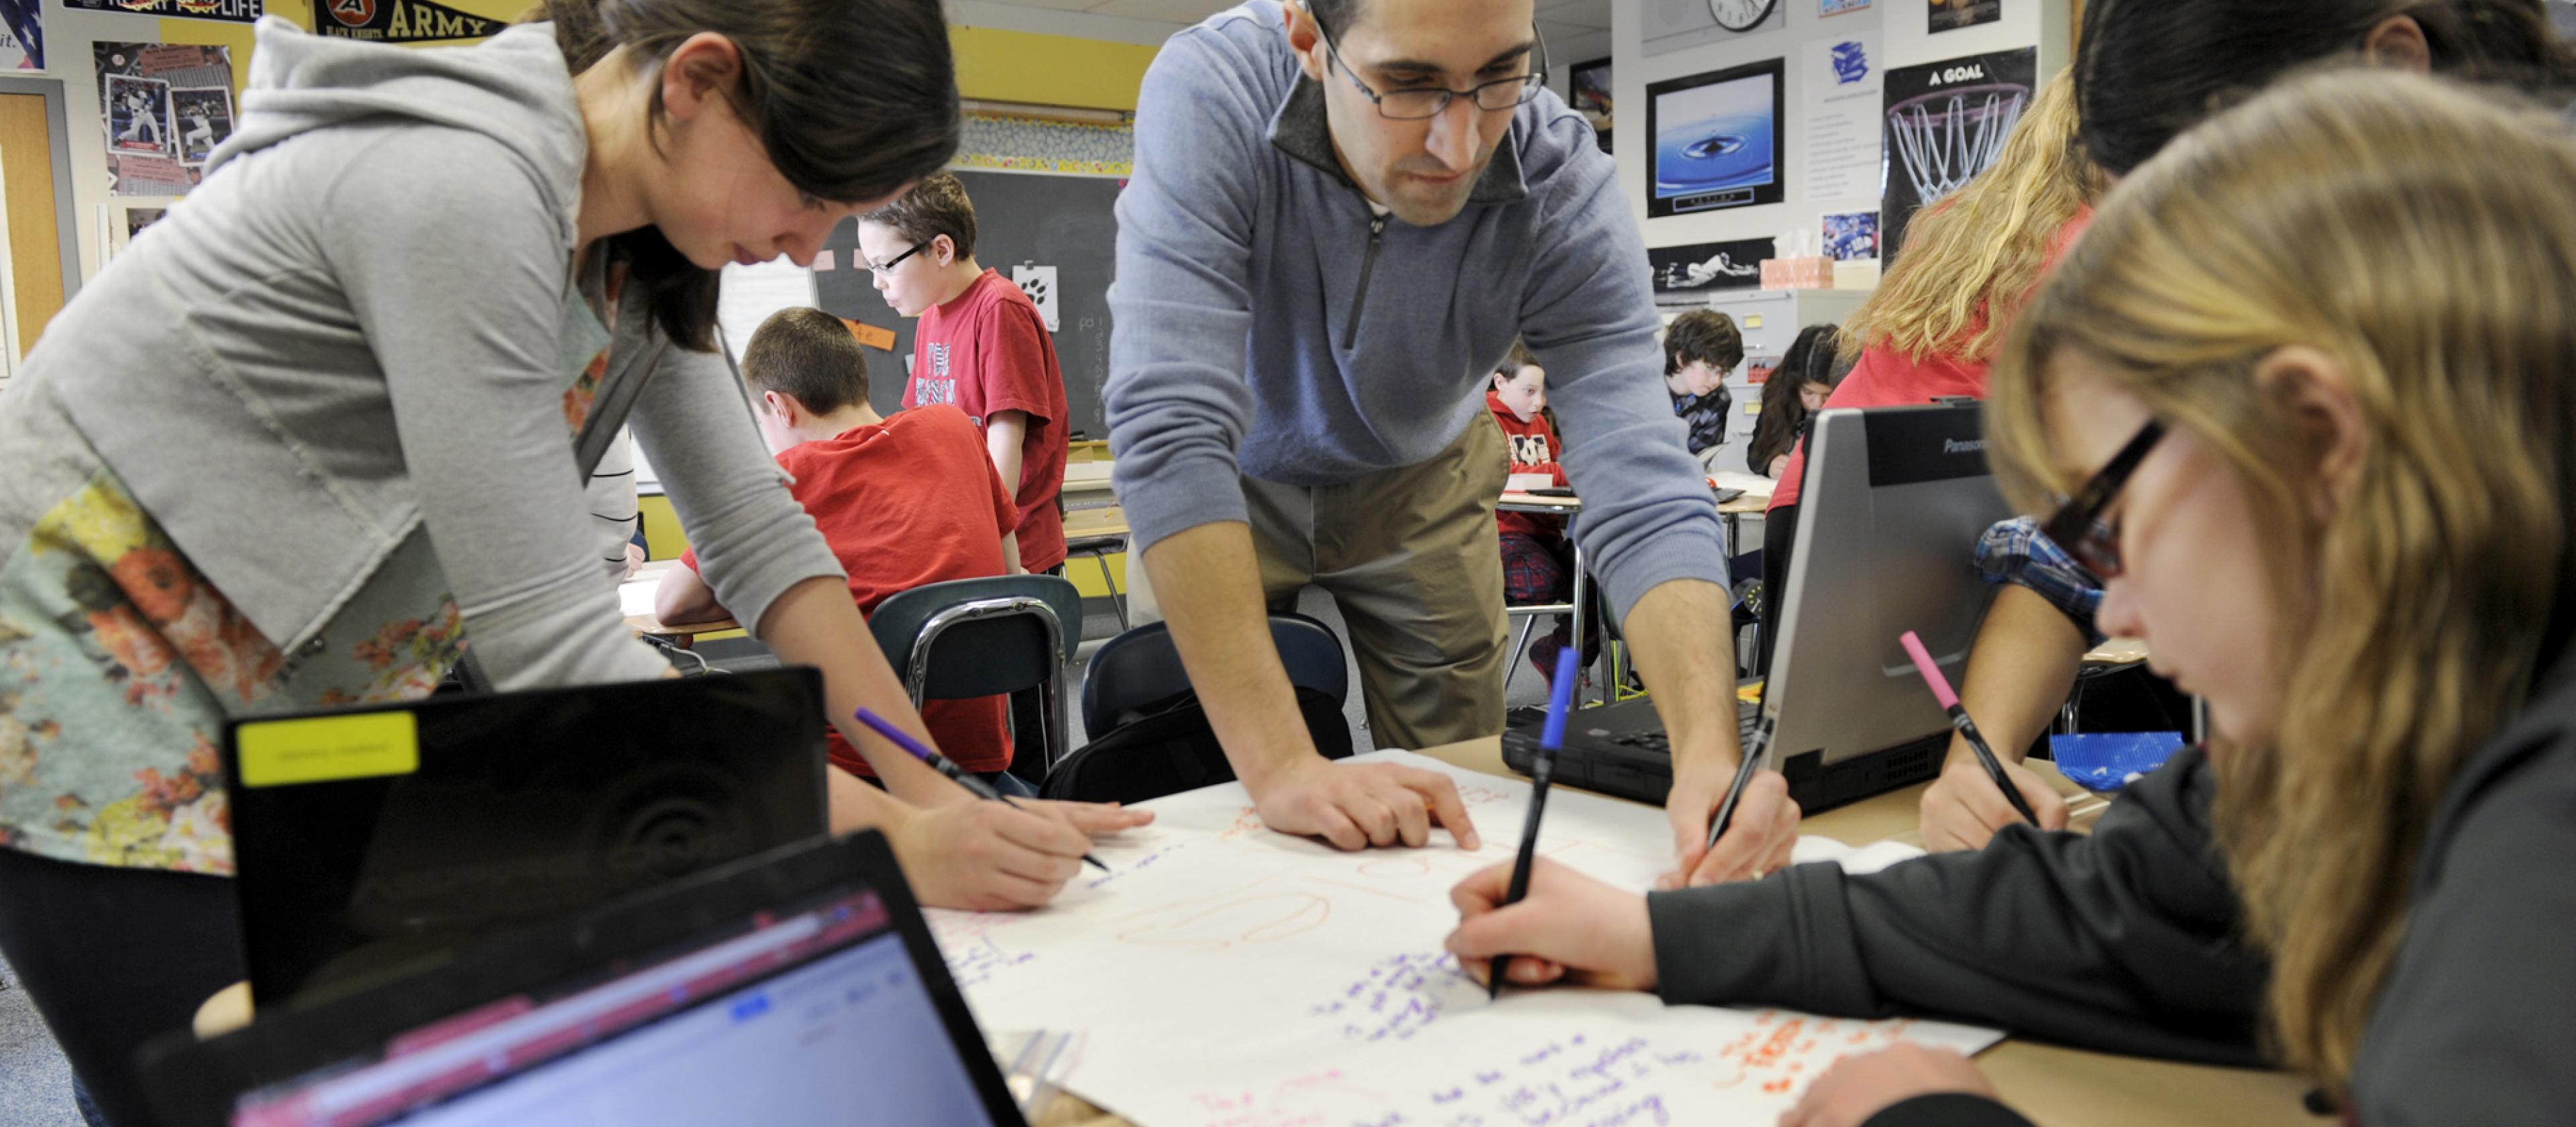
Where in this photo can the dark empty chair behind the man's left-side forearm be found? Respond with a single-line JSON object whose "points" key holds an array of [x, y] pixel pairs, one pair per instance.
{"points": [[1148, 735]]}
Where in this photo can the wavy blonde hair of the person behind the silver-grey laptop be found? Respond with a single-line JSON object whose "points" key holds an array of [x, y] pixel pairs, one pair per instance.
{"points": [[1972, 261]]}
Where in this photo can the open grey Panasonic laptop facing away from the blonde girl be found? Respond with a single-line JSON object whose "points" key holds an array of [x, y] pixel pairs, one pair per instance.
{"points": [[1887, 536]]}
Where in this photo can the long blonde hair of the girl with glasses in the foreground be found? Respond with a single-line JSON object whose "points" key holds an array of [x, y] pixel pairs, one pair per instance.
{"points": [[2420, 235]]}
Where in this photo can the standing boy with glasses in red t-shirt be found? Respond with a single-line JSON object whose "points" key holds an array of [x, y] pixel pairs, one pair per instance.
{"points": [[980, 346]]}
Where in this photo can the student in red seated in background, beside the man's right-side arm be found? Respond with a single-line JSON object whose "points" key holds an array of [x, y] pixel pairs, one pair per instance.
{"points": [[1537, 557]]}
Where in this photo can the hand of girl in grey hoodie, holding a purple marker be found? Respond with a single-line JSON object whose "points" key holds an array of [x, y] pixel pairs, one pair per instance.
{"points": [[985, 856]]}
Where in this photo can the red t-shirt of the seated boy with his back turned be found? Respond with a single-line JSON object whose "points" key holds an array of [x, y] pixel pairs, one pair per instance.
{"points": [[911, 503]]}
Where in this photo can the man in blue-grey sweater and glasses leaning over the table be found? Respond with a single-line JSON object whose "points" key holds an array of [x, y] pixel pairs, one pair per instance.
{"points": [[1343, 212]]}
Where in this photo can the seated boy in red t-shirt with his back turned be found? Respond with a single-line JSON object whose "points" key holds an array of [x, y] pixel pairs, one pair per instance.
{"points": [[903, 503]]}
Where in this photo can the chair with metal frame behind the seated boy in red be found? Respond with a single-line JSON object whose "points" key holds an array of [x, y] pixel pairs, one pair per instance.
{"points": [[985, 639]]}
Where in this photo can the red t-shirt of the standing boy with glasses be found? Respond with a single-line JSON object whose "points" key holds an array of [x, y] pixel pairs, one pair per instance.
{"points": [[983, 354]]}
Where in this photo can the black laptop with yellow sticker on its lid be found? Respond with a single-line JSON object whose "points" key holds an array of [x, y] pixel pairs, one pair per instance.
{"points": [[375, 838]]}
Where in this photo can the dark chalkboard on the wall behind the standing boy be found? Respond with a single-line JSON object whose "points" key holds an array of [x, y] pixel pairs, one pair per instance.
{"points": [[1024, 220]]}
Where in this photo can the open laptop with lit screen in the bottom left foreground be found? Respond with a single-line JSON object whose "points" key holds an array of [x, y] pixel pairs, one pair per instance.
{"points": [[787, 989]]}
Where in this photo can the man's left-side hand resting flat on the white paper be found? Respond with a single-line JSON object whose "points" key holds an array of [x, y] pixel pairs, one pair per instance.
{"points": [[1361, 807]]}
